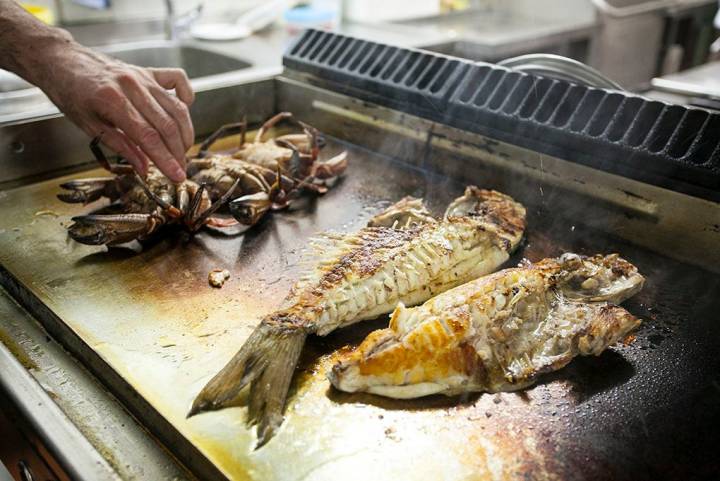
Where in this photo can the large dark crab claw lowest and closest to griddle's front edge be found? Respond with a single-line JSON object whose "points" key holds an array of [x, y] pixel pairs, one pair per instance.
{"points": [[112, 229]]}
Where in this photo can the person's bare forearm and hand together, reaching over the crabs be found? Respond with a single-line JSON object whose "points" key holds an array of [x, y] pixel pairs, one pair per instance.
{"points": [[129, 107]]}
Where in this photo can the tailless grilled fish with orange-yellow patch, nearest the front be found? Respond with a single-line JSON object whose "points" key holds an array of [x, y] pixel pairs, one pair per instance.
{"points": [[498, 332]]}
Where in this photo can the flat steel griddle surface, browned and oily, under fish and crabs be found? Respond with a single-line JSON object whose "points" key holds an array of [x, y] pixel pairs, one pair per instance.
{"points": [[150, 327]]}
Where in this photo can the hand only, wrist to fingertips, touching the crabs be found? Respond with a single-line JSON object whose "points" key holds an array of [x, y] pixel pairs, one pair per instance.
{"points": [[130, 108]]}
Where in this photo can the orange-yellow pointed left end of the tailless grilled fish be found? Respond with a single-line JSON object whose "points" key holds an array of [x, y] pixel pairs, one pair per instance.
{"points": [[410, 359]]}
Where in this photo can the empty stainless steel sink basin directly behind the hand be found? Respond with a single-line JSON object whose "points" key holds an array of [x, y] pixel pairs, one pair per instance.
{"points": [[195, 61]]}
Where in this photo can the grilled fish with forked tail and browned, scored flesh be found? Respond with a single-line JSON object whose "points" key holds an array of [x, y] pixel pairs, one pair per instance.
{"points": [[404, 255]]}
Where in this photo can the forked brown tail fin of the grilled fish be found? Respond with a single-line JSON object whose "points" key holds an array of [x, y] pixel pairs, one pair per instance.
{"points": [[266, 362]]}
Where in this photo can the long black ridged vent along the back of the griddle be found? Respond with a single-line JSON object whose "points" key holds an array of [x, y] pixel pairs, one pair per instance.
{"points": [[667, 145]]}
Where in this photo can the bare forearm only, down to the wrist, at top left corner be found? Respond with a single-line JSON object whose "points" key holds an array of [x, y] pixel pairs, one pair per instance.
{"points": [[25, 41]]}
